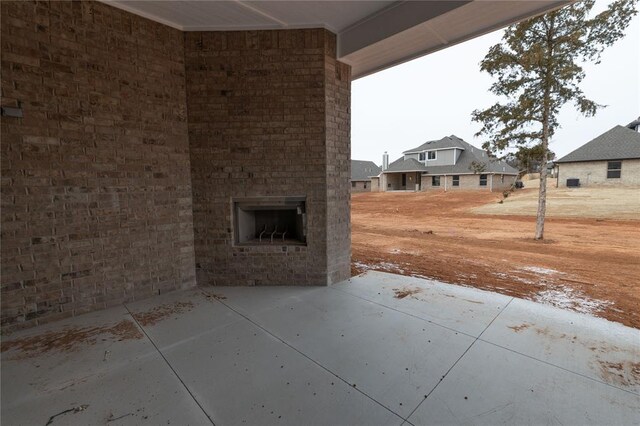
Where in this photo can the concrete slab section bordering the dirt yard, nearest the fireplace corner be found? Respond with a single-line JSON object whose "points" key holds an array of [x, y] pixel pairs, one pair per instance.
{"points": [[463, 309]]}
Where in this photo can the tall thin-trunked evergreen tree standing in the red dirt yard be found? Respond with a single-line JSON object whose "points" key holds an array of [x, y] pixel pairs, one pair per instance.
{"points": [[538, 69]]}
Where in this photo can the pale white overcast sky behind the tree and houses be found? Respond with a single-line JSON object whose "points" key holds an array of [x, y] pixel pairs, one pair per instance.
{"points": [[433, 96]]}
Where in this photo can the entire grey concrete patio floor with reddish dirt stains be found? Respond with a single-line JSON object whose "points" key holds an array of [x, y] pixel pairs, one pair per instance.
{"points": [[349, 354]]}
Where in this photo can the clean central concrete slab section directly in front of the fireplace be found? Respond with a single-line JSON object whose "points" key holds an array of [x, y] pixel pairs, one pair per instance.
{"points": [[392, 357]]}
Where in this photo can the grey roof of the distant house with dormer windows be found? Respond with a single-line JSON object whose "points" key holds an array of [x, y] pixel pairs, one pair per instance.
{"points": [[468, 155]]}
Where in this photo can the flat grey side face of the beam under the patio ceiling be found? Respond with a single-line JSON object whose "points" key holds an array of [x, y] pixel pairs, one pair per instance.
{"points": [[392, 20]]}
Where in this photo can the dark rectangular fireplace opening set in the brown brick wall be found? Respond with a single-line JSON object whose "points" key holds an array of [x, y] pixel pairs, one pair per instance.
{"points": [[270, 221]]}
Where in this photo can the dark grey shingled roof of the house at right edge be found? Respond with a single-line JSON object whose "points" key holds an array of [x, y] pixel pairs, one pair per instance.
{"points": [[618, 143]]}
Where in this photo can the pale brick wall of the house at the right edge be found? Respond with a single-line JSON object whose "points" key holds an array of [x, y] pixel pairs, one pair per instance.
{"points": [[594, 173]]}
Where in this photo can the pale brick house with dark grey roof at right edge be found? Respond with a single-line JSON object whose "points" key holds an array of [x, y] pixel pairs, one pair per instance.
{"points": [[611, 159]]}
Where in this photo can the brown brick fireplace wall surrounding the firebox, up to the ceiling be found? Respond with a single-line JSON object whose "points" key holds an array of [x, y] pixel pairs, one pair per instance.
{"points": [[268, 116]]}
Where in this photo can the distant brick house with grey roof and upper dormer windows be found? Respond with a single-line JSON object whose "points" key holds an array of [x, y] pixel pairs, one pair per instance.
{"points": [[446, 164]]}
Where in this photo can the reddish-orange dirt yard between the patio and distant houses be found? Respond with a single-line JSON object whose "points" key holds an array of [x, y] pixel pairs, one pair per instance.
{"points": [[590, 265]]}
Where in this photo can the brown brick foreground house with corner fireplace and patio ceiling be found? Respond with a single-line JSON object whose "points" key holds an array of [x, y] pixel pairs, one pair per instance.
{"points": [[150, 146]]}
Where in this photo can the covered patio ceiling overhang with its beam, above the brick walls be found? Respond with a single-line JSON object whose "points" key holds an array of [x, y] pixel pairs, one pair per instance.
{"points": [[372, 35]]}
